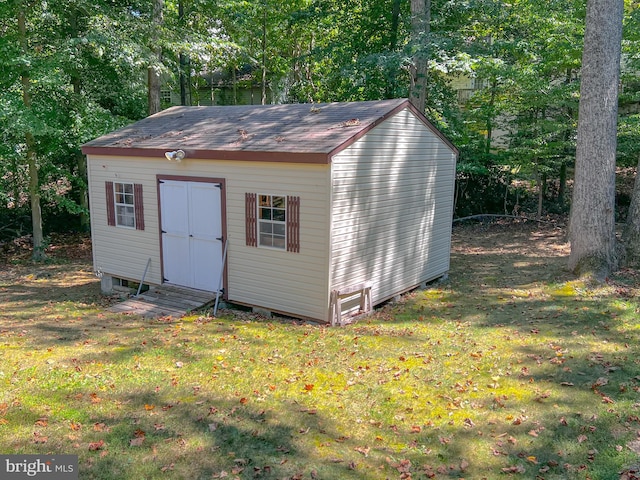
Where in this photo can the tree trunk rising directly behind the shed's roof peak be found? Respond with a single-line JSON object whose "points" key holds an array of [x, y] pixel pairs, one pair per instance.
{"points": [[420, 21]]}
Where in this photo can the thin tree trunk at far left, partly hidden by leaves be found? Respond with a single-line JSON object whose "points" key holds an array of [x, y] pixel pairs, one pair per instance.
{"points": [[30, 143]]}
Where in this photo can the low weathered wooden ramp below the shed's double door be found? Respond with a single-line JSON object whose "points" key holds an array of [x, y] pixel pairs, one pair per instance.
{"points": [[163, 301]]}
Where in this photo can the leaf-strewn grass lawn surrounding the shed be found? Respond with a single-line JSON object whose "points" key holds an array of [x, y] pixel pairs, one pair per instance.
{"points": [[510, 368]]}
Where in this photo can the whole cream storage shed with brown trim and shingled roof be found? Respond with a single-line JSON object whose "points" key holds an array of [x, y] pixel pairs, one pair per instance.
{"points": [[316, 211]]}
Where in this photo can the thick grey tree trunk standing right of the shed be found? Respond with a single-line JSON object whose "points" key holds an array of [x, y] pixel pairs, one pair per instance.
{"points": [[592, 222]]}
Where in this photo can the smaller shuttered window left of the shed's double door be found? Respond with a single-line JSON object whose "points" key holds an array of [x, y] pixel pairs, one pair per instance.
{"points": [[124, 205]]}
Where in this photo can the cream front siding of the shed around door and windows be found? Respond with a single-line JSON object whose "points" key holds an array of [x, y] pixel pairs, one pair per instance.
{"points": [[294, 283]]}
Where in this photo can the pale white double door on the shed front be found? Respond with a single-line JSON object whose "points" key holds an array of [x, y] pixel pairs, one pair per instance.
{"points": [[192, 243]]}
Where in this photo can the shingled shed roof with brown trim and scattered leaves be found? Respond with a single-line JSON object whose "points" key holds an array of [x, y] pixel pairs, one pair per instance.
{"points": [[303, 133]]}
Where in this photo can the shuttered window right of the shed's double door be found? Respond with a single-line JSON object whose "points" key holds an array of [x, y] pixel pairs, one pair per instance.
{"points": [[272, 221]]}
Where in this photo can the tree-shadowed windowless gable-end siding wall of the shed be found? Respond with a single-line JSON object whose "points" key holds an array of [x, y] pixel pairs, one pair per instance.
{"points": [[392, 208]]}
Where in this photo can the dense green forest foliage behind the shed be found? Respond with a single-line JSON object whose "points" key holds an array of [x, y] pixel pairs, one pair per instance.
{"points": [[73, 70]]}
